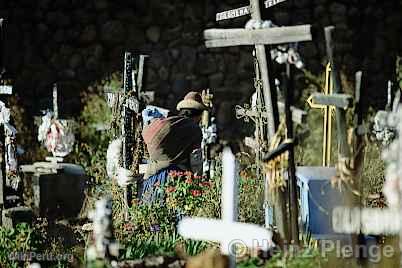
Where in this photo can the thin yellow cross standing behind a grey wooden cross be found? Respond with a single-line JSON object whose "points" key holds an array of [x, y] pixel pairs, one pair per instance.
{"points": [[327, 125]]}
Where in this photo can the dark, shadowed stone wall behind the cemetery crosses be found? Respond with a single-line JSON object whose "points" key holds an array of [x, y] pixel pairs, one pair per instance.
{"points": [[76, 43]]}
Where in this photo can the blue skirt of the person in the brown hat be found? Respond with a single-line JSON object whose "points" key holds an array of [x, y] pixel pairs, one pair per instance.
{"points": [[152, 188]]}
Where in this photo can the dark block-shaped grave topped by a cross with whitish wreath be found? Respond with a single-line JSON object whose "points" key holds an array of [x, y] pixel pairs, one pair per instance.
{"points": [[58, 188]]}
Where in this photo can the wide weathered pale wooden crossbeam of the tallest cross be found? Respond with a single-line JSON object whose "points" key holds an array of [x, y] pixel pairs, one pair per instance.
{"points": [[269, 36]]}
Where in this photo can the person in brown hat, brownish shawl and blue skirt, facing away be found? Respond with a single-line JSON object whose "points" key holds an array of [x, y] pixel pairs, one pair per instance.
{"points": [[170, 142]]}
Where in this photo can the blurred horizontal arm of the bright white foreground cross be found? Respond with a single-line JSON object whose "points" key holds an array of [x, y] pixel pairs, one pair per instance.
{"points": [[230, 233]]}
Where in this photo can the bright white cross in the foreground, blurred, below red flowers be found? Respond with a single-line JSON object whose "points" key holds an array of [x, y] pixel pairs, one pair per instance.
{"points": [[227, 231]]}
